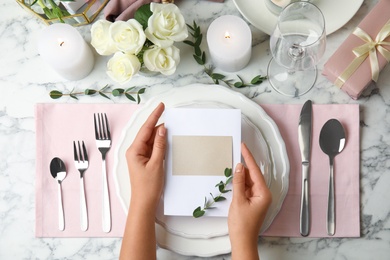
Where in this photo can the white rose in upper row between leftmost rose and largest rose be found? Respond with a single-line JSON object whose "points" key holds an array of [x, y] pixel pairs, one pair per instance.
{"points": [[128, 36]]}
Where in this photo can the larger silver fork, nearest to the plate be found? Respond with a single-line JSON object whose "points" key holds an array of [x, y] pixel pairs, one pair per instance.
{"points": [[103, 143]]}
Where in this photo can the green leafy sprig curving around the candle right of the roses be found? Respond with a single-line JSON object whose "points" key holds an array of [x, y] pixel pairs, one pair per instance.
{"points": [[200, 58]]}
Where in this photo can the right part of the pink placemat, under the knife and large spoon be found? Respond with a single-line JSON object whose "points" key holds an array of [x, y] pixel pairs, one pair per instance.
{"points": [[346, 172]]}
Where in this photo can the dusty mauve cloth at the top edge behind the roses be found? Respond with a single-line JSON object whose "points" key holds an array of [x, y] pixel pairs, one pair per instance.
{"points": [[123, 10]]}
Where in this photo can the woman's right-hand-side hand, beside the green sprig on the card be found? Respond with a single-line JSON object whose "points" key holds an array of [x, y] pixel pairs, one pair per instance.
{"points": [[250, 202]]}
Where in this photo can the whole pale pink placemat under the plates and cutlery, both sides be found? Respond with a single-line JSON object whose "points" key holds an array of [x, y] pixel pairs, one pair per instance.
{"points": [[57, 125]]}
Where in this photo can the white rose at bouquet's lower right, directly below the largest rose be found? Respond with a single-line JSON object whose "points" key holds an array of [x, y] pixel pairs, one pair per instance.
{"points": [[163, 60]]}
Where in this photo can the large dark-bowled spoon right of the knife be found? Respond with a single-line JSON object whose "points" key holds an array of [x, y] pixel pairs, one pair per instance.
{"points": [[332, 142]]}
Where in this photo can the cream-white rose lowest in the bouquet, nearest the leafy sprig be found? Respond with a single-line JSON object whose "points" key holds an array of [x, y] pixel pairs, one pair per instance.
{"points": [[122, 67]]}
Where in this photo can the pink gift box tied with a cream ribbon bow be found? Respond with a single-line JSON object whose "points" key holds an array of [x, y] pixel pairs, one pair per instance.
{"points": [[344, 56]]}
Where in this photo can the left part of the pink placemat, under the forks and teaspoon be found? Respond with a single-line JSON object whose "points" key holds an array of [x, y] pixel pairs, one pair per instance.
{"points": [[57, 126]]}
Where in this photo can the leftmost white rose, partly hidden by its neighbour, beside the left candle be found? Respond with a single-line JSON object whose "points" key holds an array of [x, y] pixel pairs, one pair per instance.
{"points": [[100, 38]]}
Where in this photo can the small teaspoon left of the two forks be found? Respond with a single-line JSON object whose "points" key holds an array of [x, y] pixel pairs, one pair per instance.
{"points": [[58, 171]]}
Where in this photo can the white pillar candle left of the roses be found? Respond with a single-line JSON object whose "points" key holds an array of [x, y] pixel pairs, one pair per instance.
{"points": [[65, 50]]}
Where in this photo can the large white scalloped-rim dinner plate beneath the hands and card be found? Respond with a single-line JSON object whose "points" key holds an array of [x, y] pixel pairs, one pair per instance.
{"points": [[209, 237]]}
